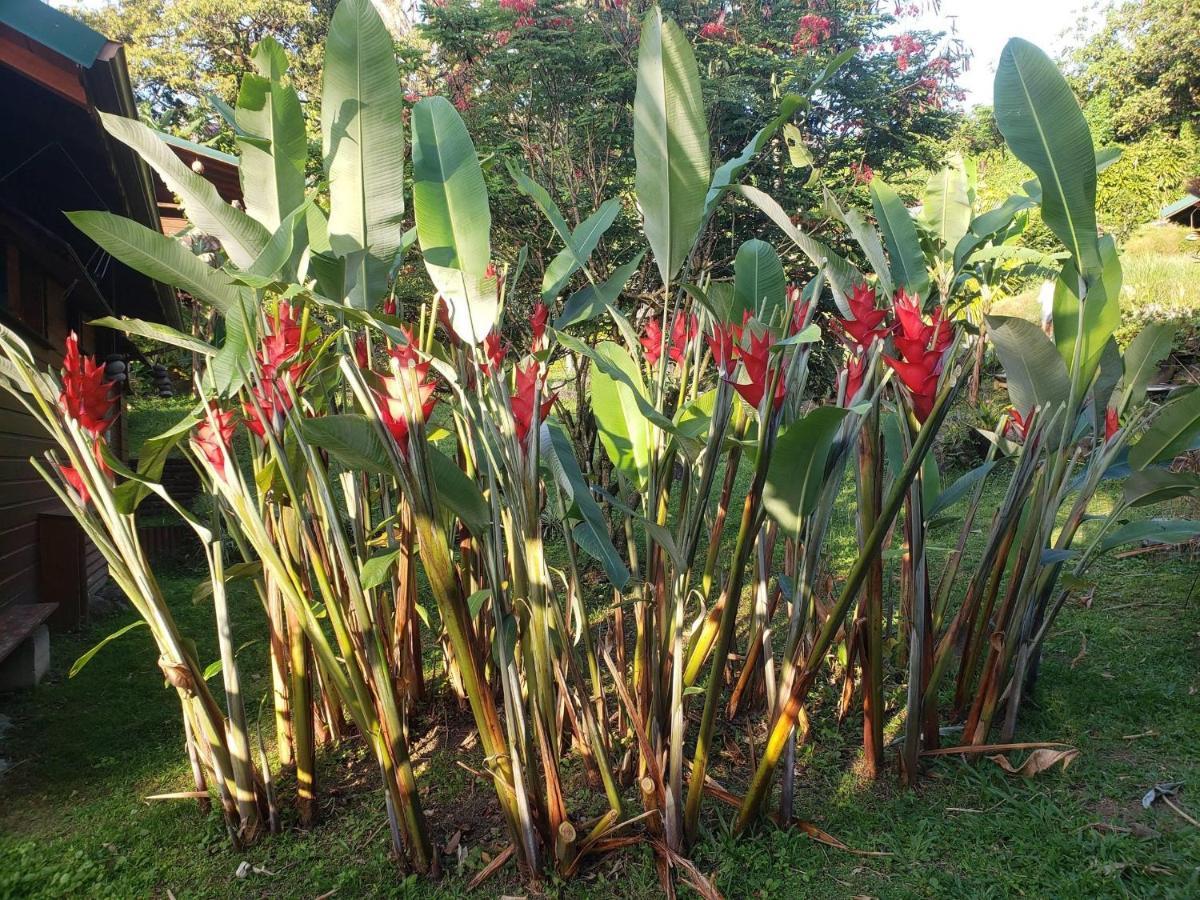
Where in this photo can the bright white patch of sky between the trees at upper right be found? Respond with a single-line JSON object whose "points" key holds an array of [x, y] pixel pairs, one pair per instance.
{"points": [[986, 26]]}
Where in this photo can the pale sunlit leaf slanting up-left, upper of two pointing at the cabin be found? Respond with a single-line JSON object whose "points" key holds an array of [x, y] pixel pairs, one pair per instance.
{"points": [[242, 237]]}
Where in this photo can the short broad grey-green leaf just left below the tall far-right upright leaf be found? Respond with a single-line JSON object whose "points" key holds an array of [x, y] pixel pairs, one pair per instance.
{"points": [[1037, 376]]}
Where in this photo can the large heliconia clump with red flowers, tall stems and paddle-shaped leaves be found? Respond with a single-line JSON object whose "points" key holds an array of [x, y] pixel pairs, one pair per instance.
{"points": [[362, 457]]}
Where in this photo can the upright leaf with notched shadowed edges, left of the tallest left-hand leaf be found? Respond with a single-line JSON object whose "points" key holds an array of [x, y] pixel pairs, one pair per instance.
{"points": [[273, 140]]}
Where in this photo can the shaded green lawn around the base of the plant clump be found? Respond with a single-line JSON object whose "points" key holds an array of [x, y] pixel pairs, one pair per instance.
{"points": [[1120, 685]]}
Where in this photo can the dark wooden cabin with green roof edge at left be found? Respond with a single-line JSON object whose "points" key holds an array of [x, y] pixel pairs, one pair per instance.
{"points": [[56, 76]]}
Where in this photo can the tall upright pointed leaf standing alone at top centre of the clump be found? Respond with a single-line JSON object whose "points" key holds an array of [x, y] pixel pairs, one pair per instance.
{"points": [[670, 143]]}
